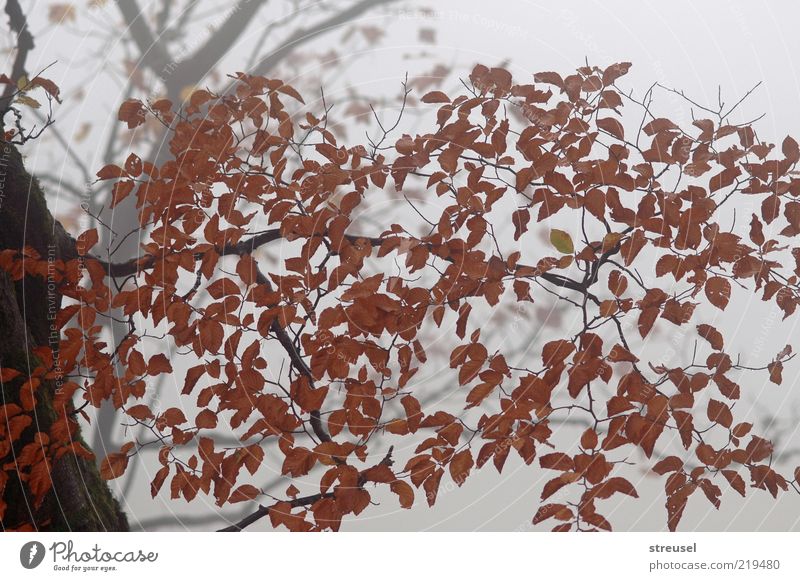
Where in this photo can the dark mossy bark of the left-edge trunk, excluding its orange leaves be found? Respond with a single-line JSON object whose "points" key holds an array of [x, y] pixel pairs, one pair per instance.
{"points": [[80, 500]]}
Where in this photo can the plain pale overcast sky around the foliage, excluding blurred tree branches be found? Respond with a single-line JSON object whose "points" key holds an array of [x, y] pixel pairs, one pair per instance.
{"points": [[704, 48]]}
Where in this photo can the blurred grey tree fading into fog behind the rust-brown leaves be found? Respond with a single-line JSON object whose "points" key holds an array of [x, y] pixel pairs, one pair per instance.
{"points": [[169, 48]]}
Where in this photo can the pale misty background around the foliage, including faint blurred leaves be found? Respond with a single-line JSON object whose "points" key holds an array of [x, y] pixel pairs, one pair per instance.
{"points": [[360, 53]]}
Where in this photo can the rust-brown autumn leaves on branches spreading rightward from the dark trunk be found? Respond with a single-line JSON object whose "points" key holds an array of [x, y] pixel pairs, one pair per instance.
{"points": [[311, 361]]}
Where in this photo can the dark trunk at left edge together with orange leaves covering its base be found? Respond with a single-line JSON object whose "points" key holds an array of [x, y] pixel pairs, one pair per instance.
{"points": [[48, 479]]}
